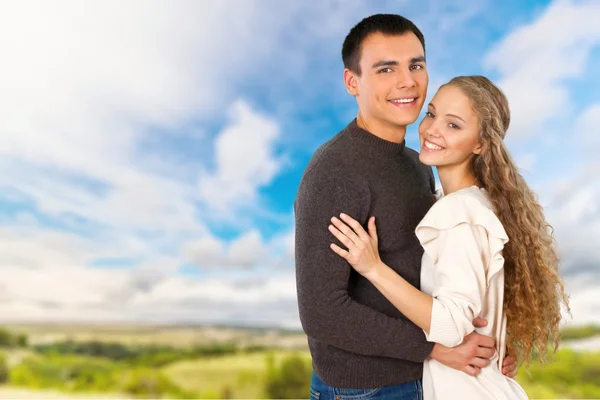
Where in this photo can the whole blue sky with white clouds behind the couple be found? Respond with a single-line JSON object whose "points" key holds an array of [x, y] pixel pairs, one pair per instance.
{"points": [[151, 151]]}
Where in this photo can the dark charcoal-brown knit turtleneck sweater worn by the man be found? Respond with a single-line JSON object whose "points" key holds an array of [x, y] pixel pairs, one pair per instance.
{"points": [[356, 337]]}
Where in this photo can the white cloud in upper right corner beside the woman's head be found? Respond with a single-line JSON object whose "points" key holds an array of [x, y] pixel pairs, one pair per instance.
{"points": [[535, 60]]}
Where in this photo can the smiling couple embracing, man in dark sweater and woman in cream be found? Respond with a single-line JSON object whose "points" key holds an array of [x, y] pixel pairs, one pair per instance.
{"points": [[406, 292]]}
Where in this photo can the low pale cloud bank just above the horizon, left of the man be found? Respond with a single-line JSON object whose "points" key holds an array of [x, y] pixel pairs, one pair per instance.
{"points": [[64, 288]]}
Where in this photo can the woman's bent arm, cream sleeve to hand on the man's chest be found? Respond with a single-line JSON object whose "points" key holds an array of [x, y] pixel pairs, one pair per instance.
{"points": [[460, 280]]}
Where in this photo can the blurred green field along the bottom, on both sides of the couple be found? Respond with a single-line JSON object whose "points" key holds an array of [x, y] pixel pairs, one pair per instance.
{"points": [[211, 364]]}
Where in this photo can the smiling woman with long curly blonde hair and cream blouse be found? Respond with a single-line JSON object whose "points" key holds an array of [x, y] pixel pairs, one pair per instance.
{"points": [[488, 249]]}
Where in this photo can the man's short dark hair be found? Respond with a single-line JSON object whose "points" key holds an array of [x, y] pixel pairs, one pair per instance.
{"points": [[388, 24]]}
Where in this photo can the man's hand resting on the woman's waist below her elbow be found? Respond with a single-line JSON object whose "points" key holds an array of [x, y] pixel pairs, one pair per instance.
{"points": [[470, 356]]}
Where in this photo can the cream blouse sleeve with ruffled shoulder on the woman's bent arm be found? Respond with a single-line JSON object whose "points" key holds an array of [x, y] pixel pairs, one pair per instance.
{"points": [[465, 241]]}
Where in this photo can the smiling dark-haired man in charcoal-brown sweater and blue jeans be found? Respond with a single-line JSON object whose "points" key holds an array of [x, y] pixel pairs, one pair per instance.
{"points": [[360, 344]]}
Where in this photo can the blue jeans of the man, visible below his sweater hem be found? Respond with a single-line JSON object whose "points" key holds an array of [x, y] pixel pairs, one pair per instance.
{"points": [[319, 390]]}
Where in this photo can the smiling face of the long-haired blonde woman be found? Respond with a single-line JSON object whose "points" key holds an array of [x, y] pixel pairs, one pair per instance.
{"points": [[449, 133]]}
